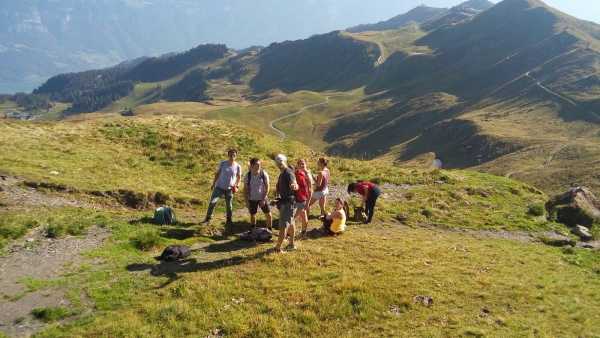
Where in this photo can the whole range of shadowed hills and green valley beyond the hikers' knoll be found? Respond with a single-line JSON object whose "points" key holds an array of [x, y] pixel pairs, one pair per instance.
{"points": [[523, 106]]}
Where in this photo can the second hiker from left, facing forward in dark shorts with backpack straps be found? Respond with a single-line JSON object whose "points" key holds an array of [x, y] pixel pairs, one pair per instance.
{"points": [[256, 192]]}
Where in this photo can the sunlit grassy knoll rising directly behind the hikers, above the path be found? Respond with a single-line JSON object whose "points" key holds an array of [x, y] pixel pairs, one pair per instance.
{"points": [[176, 157]]}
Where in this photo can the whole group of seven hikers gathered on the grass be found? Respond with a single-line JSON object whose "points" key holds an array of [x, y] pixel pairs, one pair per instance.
{"points": [[297, 190]]}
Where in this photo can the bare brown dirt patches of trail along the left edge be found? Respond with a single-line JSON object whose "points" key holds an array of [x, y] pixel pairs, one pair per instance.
{"points": [[36, 257]]}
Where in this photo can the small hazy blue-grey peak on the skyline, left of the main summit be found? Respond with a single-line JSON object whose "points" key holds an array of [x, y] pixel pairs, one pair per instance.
{"points": [[417, 15]]}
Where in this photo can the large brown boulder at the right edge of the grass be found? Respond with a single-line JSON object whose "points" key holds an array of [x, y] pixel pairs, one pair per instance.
{"points": [[578, 206]]}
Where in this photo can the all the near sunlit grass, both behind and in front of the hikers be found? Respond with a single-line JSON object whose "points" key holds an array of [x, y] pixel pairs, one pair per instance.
{"points": [[365, 282]]}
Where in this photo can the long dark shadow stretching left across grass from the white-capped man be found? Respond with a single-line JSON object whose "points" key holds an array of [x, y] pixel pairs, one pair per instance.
{"points": [[173, 270]]}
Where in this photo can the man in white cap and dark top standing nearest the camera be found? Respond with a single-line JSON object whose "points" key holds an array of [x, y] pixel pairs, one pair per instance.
{"points": [[286, 188]]}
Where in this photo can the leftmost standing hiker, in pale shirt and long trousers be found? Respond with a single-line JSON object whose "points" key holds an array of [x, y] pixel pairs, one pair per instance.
{"points": [[225, 184]]}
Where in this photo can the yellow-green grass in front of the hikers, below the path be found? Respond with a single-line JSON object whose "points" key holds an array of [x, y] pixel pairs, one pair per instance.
{"points": [[360, 284]]}
